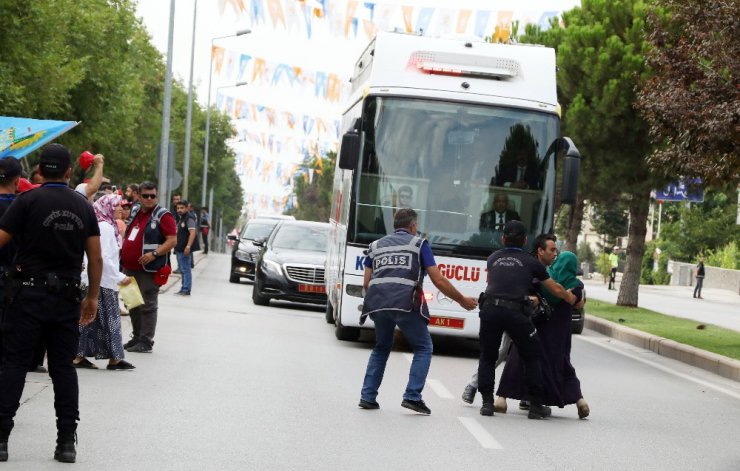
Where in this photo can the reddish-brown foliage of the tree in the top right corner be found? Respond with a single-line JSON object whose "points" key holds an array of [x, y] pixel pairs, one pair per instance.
{"points": [[692, 102]]}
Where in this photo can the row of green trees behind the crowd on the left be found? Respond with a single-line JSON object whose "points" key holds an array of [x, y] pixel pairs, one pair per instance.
{"points": [[93, 62]]}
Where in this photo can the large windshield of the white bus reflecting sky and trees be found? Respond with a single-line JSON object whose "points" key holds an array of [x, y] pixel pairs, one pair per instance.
{"points": [[465, 168]]}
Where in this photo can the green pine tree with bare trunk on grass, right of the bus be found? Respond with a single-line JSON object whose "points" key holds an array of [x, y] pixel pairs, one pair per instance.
{"points": [[600, 54]]}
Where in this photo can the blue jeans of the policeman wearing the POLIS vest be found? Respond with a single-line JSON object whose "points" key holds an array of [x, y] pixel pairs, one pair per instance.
{"points": [[414, 328]]}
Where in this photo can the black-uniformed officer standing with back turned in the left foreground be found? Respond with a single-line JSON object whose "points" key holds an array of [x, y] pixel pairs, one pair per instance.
{"points": [[52, 226]]}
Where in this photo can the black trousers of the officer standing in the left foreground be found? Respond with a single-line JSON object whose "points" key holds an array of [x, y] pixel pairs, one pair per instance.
{"points": [[36, 314]]}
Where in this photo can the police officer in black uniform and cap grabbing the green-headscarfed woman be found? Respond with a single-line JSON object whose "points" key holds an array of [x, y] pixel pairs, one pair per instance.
{"points": [[504, 308]]}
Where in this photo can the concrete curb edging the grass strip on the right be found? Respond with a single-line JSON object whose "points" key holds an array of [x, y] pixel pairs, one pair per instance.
{"points": [[712, 362]]}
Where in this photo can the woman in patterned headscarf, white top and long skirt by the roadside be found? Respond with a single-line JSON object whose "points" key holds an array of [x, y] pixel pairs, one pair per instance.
{"points": [[102, 338]]}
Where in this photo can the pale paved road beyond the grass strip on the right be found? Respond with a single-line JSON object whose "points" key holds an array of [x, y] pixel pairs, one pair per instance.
{"points": [[719, 307]]}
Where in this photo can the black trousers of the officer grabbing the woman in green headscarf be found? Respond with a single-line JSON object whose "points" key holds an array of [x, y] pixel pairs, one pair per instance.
{"points": [[494, 321]]}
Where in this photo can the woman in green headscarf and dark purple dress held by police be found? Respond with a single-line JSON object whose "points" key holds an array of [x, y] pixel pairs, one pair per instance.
{"points": [[562, 386]]}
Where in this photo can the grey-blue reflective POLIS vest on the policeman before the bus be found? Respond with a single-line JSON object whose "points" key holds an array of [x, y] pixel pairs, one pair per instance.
{"points": [[395, 284]]}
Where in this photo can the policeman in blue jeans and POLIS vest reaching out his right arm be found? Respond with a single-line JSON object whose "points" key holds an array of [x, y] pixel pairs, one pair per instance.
{"points": [[394, 272]]}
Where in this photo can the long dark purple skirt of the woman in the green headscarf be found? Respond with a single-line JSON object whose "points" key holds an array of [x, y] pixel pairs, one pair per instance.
{"points": [[561, 383]]}
